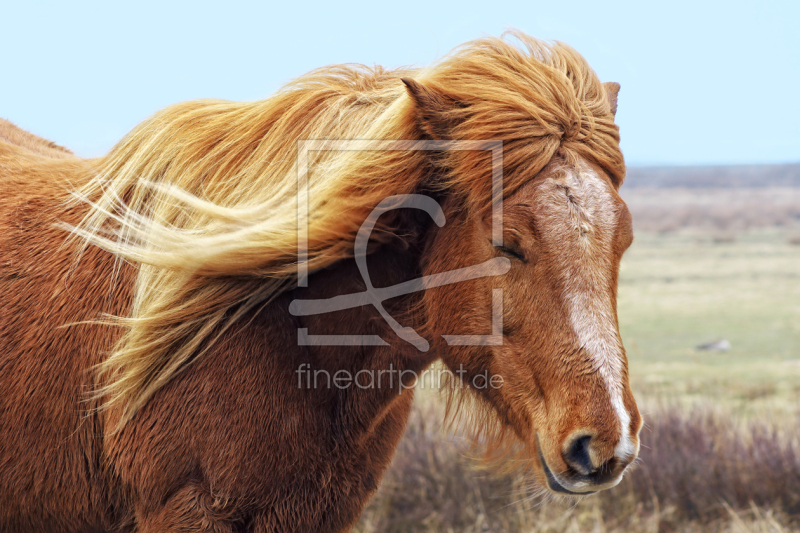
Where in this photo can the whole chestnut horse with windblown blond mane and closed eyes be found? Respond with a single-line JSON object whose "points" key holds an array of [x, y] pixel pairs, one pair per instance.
{"points": [[199, 334]]}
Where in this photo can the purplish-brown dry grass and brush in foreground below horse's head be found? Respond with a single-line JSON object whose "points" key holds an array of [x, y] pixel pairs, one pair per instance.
{"points": [[700, 471]]}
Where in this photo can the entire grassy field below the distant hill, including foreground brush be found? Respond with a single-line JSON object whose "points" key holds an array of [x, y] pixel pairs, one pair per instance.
{"points": [[721, 446]]}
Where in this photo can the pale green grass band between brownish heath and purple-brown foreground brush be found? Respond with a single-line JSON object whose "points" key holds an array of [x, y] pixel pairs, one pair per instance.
{"points": [[681, 290]]}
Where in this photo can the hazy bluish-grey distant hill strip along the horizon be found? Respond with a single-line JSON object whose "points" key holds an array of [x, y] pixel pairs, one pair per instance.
{"points": [[707, 177]]}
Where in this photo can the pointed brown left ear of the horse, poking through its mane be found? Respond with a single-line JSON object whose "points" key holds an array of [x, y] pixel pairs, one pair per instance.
{"points": [[437, 113]]}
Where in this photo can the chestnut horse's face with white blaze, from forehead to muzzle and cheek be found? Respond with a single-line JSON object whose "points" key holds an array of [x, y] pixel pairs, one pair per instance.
{"points": [[563, 385]]}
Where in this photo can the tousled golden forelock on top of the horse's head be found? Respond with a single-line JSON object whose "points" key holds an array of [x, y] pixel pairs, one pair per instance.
{"points": [[541, 101]]}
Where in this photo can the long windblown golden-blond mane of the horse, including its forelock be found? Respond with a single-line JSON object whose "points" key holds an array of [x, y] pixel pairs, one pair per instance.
{"points": [[202, 196]]}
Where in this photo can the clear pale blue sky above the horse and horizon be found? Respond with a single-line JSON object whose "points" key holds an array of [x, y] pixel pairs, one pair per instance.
{"points": [[702, 82]]}
